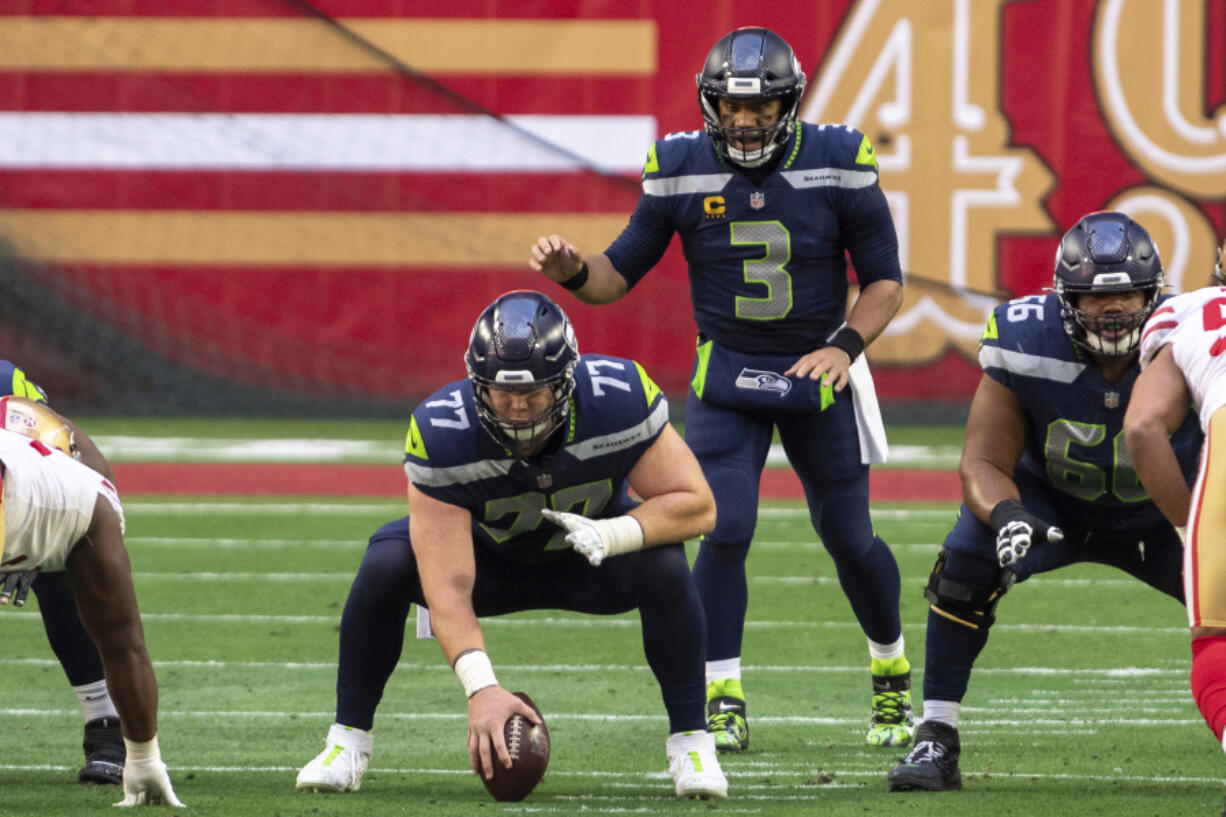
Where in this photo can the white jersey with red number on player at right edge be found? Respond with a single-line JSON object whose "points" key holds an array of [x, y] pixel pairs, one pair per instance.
{"points": [[1195, 326]]}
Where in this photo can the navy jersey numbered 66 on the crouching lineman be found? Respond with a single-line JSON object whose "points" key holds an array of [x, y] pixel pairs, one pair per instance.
{"points": [[1075, 436]]}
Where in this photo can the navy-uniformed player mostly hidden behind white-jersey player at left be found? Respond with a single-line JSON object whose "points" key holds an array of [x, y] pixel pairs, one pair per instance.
{"points": [[104, 740]]}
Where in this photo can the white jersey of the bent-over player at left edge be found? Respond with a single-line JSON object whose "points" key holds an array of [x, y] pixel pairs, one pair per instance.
{"points": [[48, 504]]}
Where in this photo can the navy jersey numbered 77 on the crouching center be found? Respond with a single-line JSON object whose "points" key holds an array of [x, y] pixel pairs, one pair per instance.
{"points": [[617, 413]]}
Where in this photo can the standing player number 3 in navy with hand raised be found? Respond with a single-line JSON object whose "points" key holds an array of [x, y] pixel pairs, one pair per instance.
{"points": [[768, 210]]}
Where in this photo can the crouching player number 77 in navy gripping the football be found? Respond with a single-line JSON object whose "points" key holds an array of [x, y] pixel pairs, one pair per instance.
{"points": [[518, 500]]}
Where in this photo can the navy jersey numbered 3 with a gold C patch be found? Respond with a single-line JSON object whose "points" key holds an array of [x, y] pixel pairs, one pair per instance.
{"points": [[767, 262]]}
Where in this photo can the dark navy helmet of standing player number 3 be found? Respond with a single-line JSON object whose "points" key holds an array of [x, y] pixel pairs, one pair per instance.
{"points": [[748, 64]]}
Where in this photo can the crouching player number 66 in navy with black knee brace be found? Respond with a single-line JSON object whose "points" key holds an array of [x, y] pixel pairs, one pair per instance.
{"points": [[1048, 480]]}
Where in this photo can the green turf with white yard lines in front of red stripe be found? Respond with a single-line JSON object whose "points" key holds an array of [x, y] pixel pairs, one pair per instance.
{"points": [[1081, 705]]}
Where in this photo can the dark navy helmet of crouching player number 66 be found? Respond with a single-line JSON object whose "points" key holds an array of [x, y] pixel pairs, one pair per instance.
{"points": [[1108, 252]]}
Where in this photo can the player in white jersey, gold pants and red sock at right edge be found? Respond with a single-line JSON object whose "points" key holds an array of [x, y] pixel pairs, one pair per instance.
{"points": [[1184, 351]]}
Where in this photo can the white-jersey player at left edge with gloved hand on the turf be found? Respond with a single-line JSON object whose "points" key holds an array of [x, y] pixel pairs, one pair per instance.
{"points": [[58, 515]]}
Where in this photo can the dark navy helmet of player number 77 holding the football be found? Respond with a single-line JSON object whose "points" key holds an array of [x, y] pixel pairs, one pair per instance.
{"points": [[523, 343]]}
